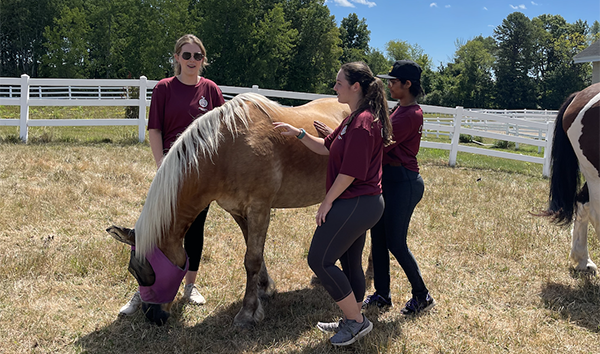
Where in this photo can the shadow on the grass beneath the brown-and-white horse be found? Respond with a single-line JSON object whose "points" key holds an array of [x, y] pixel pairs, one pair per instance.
{"points": [[578, 304]]}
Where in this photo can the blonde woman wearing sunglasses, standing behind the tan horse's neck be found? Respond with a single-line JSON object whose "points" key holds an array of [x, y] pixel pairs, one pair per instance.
{"points": [[176, 102]]}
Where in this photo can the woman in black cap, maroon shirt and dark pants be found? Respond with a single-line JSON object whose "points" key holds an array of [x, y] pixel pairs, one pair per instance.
{"points": [[402, 190]]}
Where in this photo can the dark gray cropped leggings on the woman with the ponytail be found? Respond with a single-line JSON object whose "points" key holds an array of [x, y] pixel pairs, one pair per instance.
{"points": [[342, 236]]}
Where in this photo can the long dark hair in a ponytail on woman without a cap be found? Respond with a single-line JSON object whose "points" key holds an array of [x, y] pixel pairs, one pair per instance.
{"points": [[373, 91]]}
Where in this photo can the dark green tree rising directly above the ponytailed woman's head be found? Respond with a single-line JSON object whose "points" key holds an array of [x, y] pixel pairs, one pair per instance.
{"points": [[355, 38]]}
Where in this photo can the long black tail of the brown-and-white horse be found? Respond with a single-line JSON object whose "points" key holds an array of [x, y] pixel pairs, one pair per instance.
{"points": [[564, 173]]}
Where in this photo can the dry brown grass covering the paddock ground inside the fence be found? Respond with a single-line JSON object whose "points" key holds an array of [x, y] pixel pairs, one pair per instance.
{"points": [[500, 276]]}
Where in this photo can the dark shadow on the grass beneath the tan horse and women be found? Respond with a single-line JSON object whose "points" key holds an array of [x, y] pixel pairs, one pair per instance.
{"points": [[289, 326]]}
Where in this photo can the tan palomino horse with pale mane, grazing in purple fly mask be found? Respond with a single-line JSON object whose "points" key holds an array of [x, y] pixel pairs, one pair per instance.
{"points": [[232, 155]]}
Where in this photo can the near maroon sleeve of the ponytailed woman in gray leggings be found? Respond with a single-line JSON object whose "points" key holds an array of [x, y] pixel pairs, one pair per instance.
{"points": [[358, 151]]}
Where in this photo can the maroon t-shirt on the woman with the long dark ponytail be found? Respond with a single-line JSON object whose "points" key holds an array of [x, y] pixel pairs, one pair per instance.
{"points": [[356, 150]]}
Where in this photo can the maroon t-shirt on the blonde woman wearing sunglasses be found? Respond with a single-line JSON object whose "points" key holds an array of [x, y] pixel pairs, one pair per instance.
{"points": [[175, 105]]}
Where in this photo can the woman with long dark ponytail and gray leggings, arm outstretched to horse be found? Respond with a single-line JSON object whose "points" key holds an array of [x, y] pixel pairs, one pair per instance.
{"points": [[353, 202]]}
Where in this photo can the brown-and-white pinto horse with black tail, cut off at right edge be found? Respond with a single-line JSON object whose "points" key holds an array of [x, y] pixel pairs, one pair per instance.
{"points": [[576, 149]]}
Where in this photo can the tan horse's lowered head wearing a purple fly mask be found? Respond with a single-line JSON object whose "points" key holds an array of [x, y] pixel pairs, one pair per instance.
{"points": [[157, 289]]}
